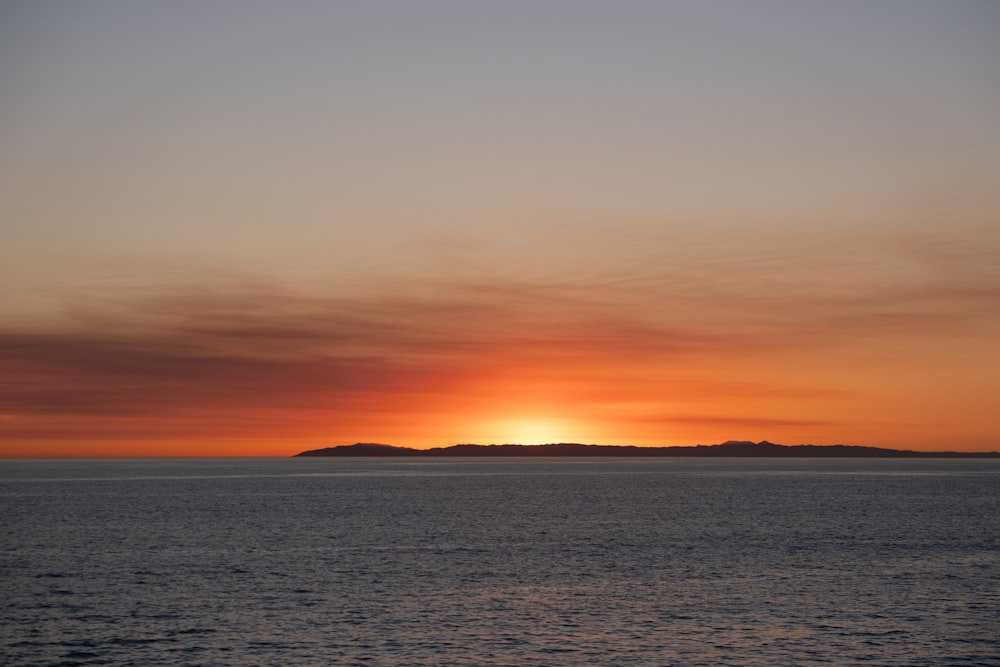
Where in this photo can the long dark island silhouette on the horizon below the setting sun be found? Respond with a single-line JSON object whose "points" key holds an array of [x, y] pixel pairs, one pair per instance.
{"points": [[730, 448]]}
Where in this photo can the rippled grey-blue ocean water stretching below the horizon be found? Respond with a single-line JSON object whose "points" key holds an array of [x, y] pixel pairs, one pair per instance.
{"points": [[500, 562]]}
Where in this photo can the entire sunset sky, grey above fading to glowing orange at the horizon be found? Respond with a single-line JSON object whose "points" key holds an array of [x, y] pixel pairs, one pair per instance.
{"points": [[255, 228]]}
